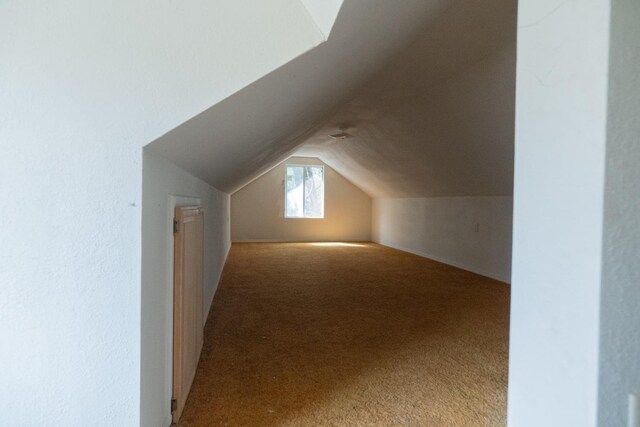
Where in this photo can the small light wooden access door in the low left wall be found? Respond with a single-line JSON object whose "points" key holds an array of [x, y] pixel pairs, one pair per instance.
{"points": [[187, 301]]}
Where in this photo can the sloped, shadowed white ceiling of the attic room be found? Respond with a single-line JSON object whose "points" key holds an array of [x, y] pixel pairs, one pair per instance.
{"points": [[426, 87]]}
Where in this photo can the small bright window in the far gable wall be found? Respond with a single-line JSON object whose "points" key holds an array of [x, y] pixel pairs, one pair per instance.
{"points": [[304, 192]]}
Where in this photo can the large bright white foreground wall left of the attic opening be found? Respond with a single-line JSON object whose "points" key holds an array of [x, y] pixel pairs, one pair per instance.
{"points": [[84, 85]]}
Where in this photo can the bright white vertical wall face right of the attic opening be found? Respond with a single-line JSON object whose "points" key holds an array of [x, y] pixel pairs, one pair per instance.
{"points": [[560, 139]]}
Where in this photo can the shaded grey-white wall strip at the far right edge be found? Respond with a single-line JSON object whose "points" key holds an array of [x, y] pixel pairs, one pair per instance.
{"points": [[620, 295]]}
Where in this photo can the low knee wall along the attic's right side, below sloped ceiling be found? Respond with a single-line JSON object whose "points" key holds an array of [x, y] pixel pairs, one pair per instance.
{"points": [[473, 233]]}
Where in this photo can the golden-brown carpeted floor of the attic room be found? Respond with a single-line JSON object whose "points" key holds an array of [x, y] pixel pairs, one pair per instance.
{"points": [[363, 335]]}
